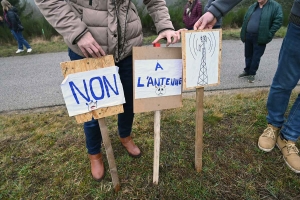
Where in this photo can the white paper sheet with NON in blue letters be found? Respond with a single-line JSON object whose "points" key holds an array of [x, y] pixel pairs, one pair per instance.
{"points": [[90, 90]]}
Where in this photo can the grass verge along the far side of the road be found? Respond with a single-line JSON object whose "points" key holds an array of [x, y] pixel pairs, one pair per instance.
{"points": [[56, 44]]}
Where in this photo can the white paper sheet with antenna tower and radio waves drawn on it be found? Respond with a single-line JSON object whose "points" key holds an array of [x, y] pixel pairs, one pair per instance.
{"points": [[202, 58]]}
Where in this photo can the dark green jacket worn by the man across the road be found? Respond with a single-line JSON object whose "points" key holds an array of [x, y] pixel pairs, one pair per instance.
{"points": [[270, 21]]}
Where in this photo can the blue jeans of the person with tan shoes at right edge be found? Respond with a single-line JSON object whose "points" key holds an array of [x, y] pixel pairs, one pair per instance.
{"points": [[284, 81]]}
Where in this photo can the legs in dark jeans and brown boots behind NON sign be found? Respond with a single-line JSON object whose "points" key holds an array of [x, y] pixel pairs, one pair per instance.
{"points": [[125, 120]]}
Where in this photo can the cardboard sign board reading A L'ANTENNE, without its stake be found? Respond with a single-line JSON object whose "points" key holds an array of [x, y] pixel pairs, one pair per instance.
{"points": [[164, 60]]}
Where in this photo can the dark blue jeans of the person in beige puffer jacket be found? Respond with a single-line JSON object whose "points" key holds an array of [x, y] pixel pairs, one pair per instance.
{"points": [[125, 120]]}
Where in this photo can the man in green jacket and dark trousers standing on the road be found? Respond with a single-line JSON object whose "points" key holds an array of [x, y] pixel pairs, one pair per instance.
{"points": [[261, 22]]}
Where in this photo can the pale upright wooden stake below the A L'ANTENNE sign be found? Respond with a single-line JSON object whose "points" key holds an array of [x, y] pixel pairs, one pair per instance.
{"points": [[156, 146]]}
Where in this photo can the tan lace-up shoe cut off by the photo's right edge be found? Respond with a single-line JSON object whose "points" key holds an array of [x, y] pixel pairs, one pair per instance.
{"points": [[290, 153]]}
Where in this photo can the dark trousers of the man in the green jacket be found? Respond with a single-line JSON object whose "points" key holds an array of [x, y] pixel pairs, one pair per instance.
{"points": [[253, 53]]}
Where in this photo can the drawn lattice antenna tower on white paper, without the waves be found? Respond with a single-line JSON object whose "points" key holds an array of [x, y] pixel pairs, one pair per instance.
{"points": [[203, 77]]}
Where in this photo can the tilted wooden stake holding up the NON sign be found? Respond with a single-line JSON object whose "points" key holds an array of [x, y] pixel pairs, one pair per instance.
{"points": [[109, 154]]}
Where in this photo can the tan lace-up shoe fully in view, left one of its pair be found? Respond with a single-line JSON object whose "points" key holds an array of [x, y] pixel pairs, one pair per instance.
{"points": [[267, 140]]}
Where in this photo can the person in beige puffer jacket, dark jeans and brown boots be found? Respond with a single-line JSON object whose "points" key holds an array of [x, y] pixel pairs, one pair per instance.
{"points": [[118, 31]]}
